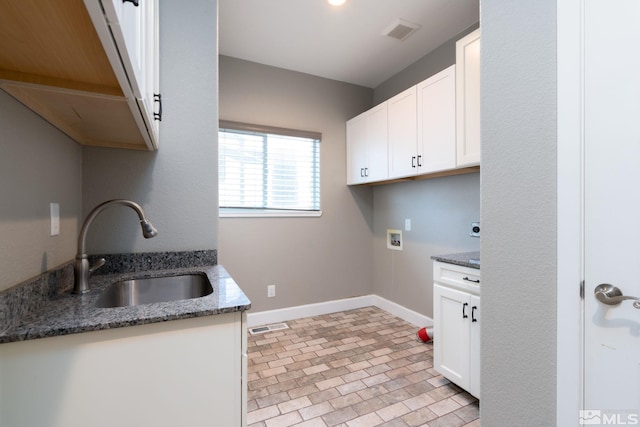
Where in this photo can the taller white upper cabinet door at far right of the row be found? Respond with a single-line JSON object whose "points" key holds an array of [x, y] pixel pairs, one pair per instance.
{"points": [[468, 99]]}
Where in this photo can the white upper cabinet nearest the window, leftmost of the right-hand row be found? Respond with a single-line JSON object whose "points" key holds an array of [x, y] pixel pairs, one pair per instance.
{"points": [[367, 146]]}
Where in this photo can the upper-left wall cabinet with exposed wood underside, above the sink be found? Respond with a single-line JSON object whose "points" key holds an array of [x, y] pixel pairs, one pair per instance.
{"points": [[63, 59]]}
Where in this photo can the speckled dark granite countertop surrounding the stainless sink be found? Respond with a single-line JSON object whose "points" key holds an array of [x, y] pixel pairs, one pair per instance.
{"points": [[46, 307]]}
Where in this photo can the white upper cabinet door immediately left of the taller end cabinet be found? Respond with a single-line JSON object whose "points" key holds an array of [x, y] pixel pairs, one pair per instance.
{"points": [[437, 122]]}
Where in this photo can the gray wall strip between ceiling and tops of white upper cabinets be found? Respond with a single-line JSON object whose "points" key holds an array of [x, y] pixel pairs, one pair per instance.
{"points": [[430, 64]]}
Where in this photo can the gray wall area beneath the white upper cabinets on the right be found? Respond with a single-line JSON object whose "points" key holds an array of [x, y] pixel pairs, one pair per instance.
{"points": [[441, 211]]}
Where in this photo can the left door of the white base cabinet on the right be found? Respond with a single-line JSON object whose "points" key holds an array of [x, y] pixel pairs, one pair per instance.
{"points": [[451, 315]]}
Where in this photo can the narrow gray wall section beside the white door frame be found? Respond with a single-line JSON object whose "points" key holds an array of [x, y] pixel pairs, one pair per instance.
{"points": [[518, 213]]}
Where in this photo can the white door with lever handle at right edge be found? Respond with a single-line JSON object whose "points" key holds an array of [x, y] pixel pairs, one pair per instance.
{"points": [[612, 207]]}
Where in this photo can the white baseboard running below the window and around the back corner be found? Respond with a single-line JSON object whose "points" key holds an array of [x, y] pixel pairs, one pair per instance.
{"points": [[300, 311]]}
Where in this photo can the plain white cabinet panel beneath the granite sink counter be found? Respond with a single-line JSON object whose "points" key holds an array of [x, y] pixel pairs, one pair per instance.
{"points": [[189, 372]]}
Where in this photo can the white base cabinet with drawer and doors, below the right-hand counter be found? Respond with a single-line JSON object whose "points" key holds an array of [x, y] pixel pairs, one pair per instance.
{"points": [[456, 317]]}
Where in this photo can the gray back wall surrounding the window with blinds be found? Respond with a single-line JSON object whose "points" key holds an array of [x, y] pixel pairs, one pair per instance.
{"points": [[309, 260]]}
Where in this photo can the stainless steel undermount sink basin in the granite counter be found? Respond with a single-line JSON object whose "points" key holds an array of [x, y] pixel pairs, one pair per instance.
{"points": [[155, 289]]}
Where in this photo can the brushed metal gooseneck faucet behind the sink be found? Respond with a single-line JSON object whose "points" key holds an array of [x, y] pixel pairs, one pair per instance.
{"points": [[82, 270]]}
